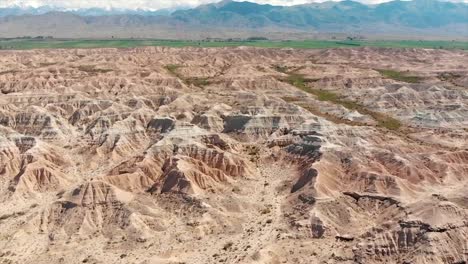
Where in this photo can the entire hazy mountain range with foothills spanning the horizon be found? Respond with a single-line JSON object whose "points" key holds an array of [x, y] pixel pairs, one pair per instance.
{"points": [[233, 19]]}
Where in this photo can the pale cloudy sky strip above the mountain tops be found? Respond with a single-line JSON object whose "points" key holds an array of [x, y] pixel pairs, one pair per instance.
{"points": [[143, 4]]}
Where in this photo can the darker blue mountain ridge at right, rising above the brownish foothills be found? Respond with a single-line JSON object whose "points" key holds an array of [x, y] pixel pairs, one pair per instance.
{"points": [[417, 13]]}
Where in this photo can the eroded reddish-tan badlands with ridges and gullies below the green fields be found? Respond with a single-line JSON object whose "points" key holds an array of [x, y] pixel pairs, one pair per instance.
{"points": [[234, 155]]}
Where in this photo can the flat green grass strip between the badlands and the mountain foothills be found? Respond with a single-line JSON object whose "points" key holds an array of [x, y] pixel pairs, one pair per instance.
{"points": [[24, 44]]}
